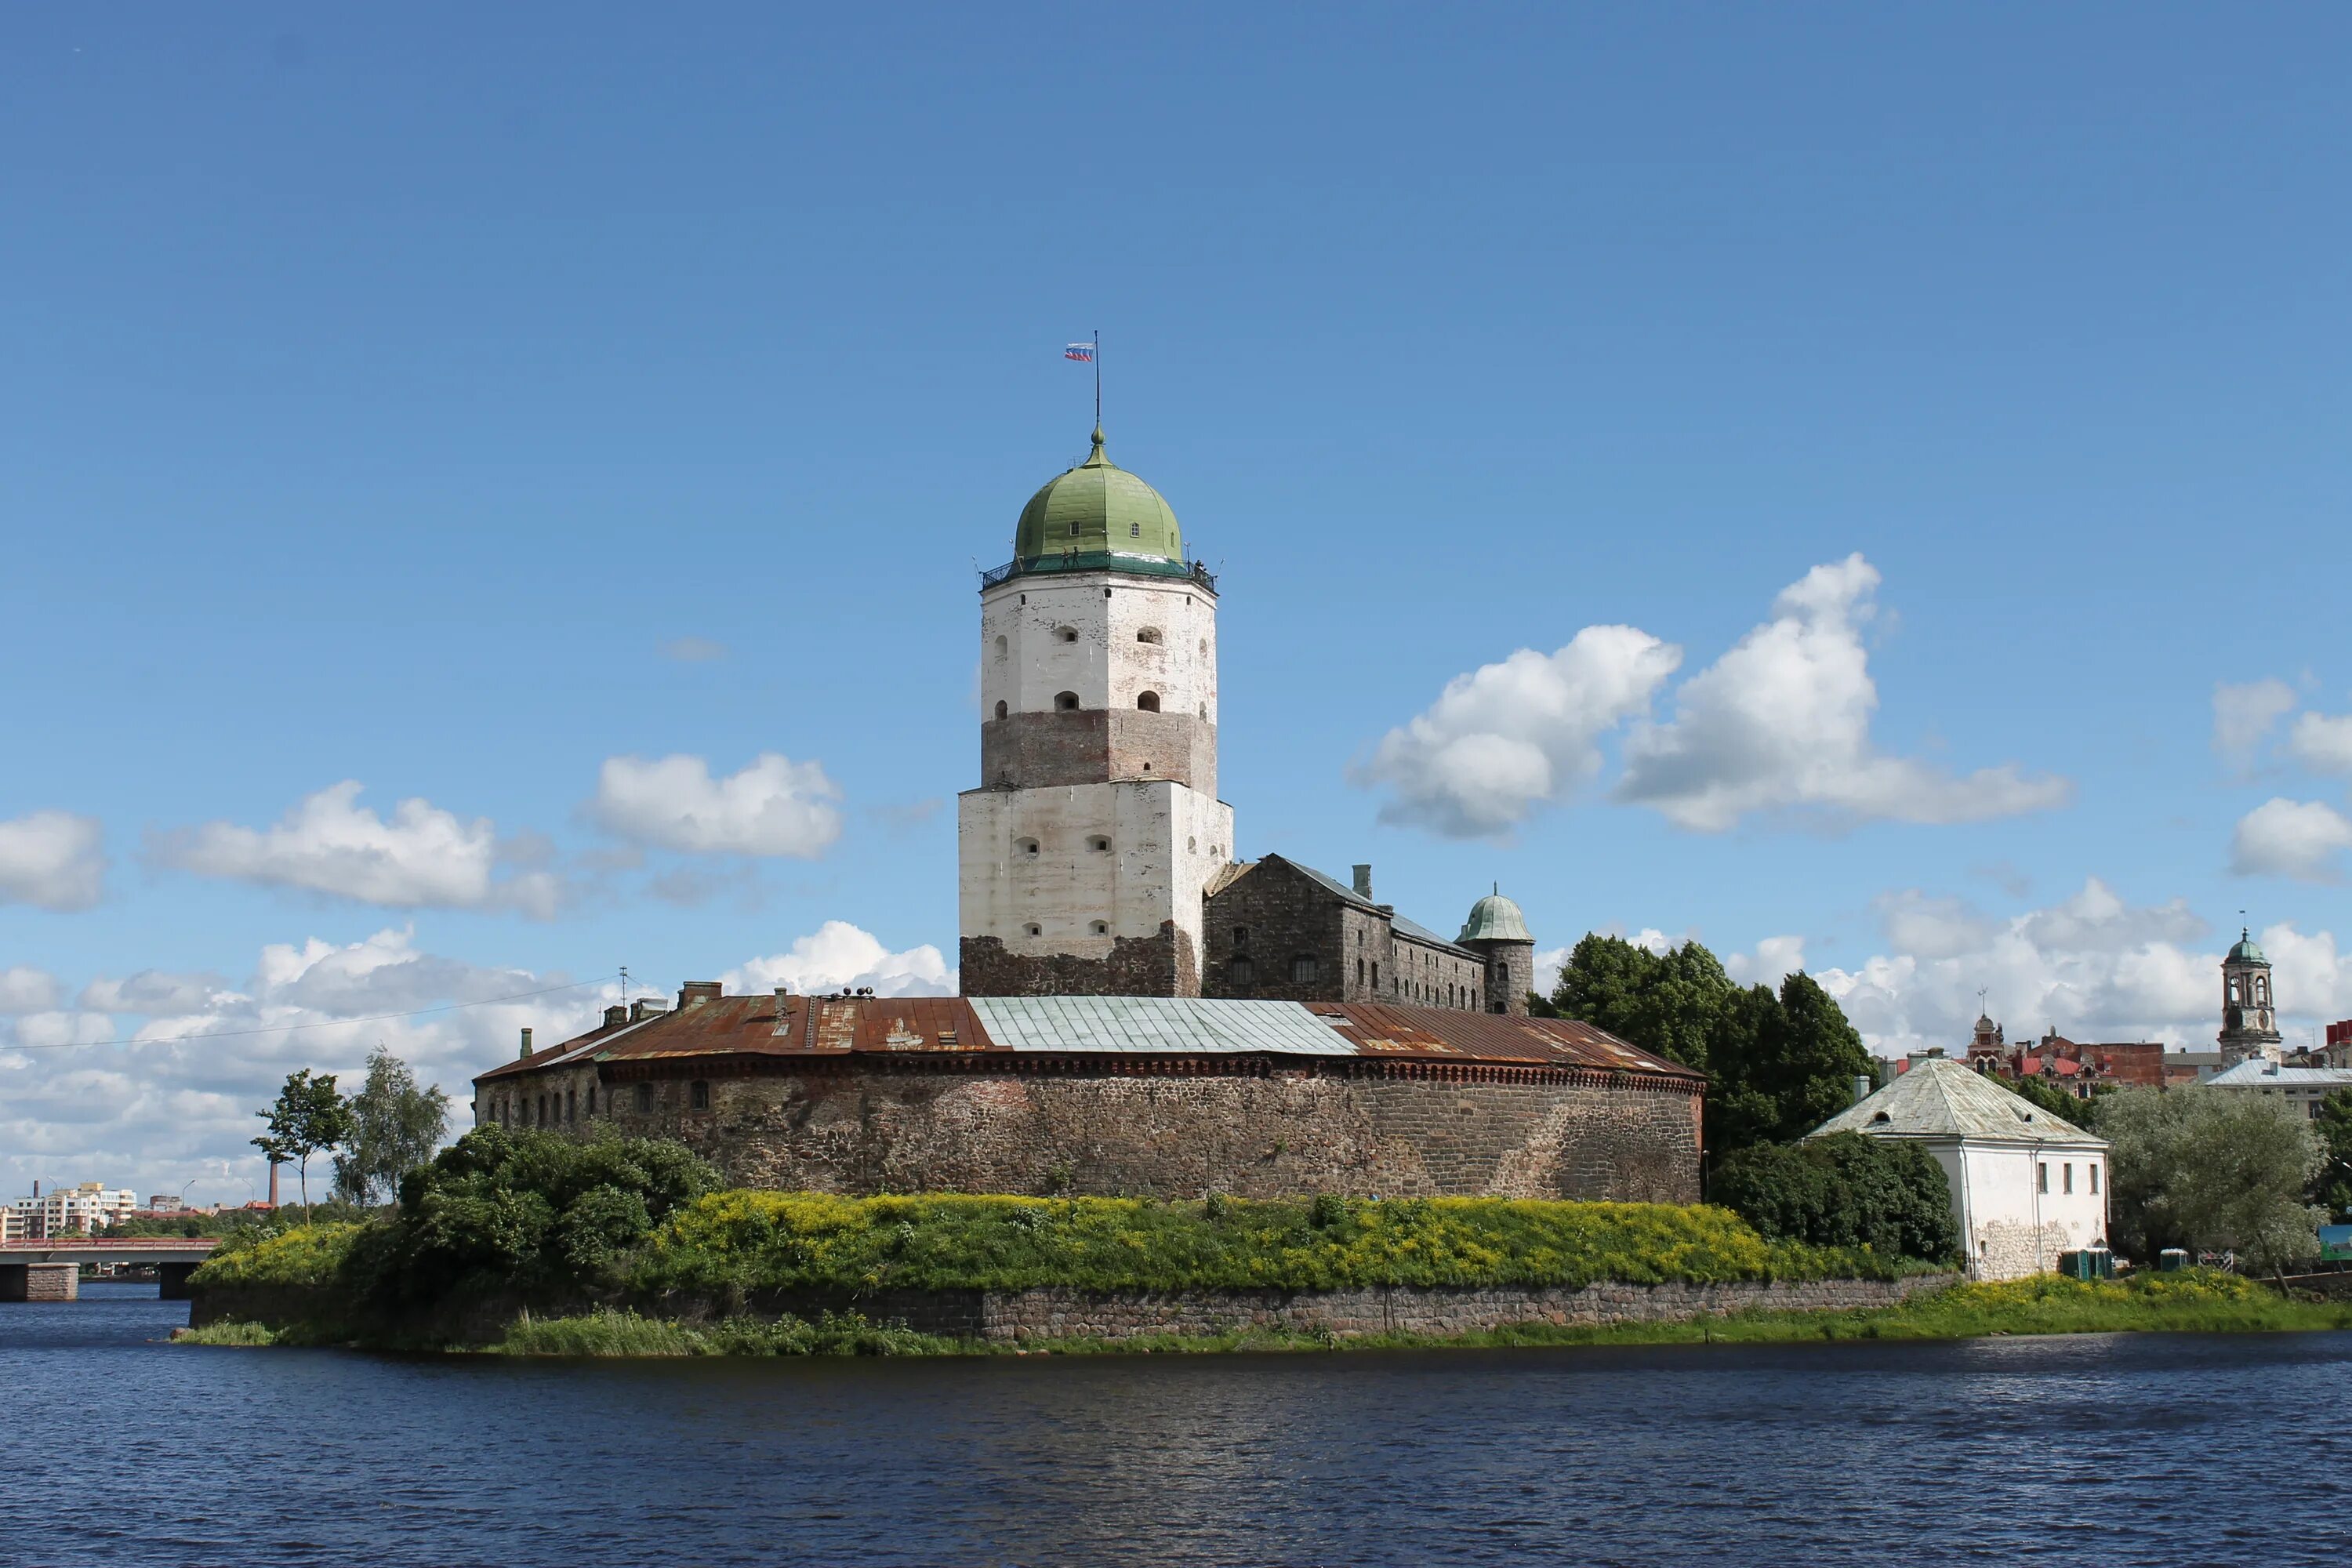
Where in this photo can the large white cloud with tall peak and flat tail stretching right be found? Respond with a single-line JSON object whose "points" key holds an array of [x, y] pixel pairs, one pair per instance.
{"points": [[1784, 723]]}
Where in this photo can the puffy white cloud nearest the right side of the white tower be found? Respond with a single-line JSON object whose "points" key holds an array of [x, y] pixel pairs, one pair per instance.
{"points": [[1521, 735]]}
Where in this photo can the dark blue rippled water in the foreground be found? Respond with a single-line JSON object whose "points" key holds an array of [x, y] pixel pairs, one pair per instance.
{"points": [[2156, 1449]]}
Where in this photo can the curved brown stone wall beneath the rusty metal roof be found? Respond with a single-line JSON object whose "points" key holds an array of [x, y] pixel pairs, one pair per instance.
{"points": [[1180, 1130]]}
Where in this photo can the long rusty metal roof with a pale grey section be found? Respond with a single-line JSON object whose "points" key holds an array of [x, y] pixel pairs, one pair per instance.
{"points": [[1088, 1026]]}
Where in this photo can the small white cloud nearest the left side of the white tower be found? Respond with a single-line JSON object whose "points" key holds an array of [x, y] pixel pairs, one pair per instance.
{"points": [[773, 808]]}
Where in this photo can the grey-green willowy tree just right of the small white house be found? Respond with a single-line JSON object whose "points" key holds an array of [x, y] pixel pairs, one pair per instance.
{"points": [[2212, 1170]]}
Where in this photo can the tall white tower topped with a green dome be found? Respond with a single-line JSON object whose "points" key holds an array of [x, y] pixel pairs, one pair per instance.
{"points": [[1097, 831]]}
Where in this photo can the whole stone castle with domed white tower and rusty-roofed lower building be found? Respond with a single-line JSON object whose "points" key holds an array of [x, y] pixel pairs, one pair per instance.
{"points": [[1142, 1010]]}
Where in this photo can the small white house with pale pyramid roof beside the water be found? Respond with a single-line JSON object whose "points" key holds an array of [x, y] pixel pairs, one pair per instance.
{"points": [[2026, 1186]]}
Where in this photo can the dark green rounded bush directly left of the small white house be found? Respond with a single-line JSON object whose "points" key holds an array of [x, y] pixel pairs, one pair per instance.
{"points": [[1843, 1191]]}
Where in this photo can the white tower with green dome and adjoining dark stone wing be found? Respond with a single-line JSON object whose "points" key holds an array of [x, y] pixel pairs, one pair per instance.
{"points": [[1095, 855]]}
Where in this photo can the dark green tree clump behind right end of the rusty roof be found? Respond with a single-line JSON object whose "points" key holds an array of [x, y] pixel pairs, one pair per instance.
{"points": [[1777, 1066]]}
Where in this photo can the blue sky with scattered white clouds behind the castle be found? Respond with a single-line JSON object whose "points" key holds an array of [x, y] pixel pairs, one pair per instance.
{"points": [[396, 398]]}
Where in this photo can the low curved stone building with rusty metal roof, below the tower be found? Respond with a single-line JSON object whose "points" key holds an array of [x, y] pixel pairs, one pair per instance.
{"points": [[1165, 1097]]}
